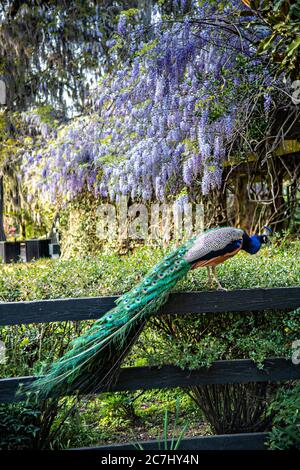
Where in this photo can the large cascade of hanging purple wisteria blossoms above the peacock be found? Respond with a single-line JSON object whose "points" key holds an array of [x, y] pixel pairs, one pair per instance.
{"points": [[163, 122]]}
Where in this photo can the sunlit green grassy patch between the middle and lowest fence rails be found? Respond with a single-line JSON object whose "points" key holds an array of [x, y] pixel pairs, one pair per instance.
{"points": [[103, 421]]}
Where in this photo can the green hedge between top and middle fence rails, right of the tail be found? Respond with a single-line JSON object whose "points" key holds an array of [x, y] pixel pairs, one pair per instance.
{"points": [[195, 342]]}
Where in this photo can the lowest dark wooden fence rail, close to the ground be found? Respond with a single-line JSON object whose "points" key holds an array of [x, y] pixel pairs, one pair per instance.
{"points": [[247, 441]]}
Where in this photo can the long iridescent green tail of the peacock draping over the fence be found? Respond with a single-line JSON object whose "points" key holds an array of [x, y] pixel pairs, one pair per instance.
{"points": [[93, 360]]}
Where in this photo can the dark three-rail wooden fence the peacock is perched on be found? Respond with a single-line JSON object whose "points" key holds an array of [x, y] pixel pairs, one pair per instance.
{"points": [[145, 378]]}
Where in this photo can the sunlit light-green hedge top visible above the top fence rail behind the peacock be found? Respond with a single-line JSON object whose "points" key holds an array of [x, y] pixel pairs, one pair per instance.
{"points": [[110, 273]]}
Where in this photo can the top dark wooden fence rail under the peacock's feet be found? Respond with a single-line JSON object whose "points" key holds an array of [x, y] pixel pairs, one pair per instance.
{"points": [[245, 300]]}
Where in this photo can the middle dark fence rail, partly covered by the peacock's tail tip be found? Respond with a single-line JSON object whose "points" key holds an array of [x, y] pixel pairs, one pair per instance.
{"points": [[146, 378]]}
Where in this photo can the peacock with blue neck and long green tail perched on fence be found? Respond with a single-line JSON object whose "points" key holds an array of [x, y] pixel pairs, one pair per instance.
{"points": [[93, 360]]}
